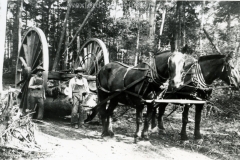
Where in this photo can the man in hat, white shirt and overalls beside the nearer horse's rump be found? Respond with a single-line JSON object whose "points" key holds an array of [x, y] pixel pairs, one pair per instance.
{"points": [[78, 86]]}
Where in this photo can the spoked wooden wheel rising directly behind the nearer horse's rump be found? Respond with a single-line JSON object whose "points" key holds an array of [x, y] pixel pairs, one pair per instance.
{"points": [[92, 57]]}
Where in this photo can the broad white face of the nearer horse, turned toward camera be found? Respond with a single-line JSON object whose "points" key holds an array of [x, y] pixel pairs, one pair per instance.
{"points": [[176, 64]]}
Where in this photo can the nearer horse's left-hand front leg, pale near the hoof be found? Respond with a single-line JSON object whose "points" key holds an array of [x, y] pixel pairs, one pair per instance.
{"points": [[139, 121]]}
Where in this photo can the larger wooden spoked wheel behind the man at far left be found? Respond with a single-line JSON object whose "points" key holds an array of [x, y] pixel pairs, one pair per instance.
{"points": [[33, 52]]}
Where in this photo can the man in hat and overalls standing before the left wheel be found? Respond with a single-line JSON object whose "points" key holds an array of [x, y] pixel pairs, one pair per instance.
{"points": [[36, 93]]}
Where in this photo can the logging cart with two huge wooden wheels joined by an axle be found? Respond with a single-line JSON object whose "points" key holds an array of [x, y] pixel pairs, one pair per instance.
{"points": [[33, 52]]}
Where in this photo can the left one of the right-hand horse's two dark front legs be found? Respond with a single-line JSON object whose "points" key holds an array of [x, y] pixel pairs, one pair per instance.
{"points": [[184, 122]]}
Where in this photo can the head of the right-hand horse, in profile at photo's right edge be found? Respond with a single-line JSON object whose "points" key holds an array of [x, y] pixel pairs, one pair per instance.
{"points": [[230, 74]]}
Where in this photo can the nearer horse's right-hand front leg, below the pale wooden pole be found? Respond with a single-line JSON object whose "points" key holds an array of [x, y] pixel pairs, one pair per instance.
{"points": [[145, 134]]}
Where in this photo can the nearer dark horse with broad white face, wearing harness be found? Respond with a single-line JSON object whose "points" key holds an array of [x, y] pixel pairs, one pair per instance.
{"points": [[119, 83]]}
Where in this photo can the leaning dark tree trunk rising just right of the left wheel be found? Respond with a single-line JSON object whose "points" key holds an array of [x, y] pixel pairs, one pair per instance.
{"points": [[55, 64]]}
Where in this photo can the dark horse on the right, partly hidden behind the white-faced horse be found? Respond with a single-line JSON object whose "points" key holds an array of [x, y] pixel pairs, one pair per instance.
{"points": [[199, 75]]}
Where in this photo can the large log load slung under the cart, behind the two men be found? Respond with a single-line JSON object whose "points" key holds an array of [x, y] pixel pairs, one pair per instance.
{"points": [[57, 102]]}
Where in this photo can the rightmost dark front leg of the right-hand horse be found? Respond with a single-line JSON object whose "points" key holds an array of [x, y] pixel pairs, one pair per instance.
{"points": [[198, 113]]}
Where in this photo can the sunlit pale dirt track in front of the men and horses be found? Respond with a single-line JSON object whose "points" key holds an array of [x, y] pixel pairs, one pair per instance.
{"points": [[63, 142]]}
